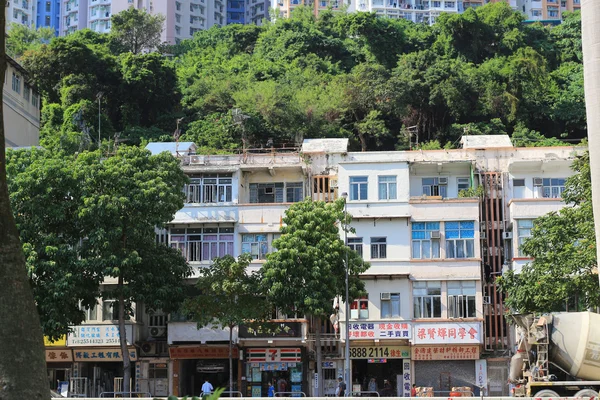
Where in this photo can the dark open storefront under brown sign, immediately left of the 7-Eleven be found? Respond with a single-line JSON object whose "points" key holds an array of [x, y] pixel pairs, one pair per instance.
{"points": [[193, 364]]}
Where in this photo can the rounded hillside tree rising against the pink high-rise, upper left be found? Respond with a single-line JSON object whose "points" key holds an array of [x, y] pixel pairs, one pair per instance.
{"points": [[134, 30]]}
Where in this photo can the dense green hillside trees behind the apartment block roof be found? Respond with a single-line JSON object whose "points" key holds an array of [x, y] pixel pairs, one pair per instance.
{"points": [[354, 75]]}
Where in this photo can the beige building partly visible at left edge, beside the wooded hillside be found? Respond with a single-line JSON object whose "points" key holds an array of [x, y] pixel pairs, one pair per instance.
{"points": [[21, 106]]}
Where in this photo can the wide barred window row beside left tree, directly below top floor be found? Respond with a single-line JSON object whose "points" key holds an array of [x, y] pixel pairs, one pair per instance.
{"points": [[202, 244]]}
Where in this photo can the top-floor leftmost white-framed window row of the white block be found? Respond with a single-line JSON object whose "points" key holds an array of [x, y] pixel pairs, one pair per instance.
{"points": [[209, 189]]}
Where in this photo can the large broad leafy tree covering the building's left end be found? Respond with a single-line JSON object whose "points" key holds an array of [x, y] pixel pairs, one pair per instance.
{"points": [[85, 219]]}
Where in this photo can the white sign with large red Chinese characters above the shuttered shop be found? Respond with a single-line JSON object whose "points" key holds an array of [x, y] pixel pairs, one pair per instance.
{"points": [[450, 332]]}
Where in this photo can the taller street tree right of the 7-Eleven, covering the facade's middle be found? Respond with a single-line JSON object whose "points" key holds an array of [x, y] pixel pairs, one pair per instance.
{"points": [[308, 269]]}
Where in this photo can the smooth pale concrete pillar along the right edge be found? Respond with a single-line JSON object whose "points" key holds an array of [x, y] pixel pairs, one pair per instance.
{"points": [[590, 26]]}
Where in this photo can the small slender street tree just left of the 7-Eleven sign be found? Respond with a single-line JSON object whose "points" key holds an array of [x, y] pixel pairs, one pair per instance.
{"points": [[230, 295]]}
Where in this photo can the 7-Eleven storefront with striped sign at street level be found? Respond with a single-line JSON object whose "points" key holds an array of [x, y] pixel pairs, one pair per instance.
{"points": [[283, 366]]}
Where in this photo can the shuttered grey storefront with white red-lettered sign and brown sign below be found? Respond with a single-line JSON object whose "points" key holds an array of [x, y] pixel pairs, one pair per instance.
{"points": [[445, 356]]}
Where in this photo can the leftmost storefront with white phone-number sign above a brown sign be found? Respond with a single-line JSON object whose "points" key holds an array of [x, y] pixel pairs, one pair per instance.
{"points": [[98, 361]]}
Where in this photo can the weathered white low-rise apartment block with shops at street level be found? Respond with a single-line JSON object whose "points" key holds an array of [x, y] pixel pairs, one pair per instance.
{"points": [[432, 315]]}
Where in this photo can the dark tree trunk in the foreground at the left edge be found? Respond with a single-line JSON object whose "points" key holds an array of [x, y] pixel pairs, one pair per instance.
{"points": [[22, 361]]}
